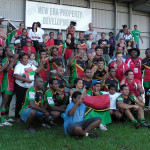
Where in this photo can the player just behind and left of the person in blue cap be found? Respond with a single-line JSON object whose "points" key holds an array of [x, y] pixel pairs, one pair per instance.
{"points": [[87, 80]]}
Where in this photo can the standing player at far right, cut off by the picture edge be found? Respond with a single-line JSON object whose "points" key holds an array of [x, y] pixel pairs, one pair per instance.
{"points": [[146, 70]]}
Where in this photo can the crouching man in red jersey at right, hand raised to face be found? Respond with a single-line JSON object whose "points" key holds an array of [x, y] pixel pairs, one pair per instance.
{"points": [[135, 86]]}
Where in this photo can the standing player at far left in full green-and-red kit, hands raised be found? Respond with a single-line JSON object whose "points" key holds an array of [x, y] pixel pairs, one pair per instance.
{"points": [[7, 84]]}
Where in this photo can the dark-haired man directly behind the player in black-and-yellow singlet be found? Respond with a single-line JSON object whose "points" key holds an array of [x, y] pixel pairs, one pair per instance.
{"points": [[98, 54]]}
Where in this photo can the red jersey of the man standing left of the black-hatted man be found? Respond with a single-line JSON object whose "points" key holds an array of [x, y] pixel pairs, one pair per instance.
{"points": [[120, 70]]}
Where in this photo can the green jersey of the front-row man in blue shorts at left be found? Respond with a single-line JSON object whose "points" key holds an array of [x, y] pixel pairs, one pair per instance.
{"points": [[32, 94]]}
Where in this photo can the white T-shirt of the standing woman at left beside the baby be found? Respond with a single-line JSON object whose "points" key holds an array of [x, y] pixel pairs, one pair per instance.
{"points": [[21, 69]]}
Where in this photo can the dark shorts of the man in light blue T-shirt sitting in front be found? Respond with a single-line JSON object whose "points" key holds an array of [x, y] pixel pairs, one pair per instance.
{"points": [[83, 124]]}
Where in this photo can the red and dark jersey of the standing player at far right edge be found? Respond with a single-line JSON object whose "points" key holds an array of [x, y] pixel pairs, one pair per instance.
{"points": [[146, 66]]}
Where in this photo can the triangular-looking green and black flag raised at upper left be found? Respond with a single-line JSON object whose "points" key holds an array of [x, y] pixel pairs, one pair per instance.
{"points": [[11, 30]]}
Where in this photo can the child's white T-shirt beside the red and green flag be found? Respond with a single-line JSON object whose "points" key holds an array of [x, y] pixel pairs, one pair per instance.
{"points": [[113, 99]]}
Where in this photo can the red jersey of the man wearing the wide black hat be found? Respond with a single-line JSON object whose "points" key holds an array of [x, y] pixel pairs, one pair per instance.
{"points": [[136, 67]]}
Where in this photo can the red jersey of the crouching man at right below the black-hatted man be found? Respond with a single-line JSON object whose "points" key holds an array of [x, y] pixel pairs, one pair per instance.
{"points": [[133, 87]]}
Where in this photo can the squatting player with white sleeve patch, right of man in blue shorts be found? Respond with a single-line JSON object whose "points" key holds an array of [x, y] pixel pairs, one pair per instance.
{"points": [[53, 99]]}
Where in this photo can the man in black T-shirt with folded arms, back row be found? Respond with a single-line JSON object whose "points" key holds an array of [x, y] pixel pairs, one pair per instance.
{"points": [[104, 43]]}
